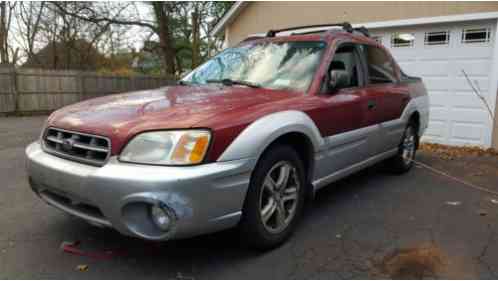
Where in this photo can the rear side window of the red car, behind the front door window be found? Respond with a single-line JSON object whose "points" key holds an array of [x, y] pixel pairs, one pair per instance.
{"points": [[380, 65]]}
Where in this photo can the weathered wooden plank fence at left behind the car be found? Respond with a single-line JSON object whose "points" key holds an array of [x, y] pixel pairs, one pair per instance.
{"points": [[24, 90]]}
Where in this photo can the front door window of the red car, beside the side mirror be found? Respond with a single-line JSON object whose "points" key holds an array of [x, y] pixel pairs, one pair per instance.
{"points": [[346, 60]]}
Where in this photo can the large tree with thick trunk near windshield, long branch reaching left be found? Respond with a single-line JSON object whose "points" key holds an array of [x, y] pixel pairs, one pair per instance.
{"points": [[173, 23]]}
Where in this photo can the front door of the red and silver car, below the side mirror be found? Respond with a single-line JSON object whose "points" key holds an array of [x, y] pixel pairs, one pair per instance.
{"points": [[343, 118]]}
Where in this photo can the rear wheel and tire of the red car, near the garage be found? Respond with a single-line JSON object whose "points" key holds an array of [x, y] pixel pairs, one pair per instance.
{"points": [[402, 162]]}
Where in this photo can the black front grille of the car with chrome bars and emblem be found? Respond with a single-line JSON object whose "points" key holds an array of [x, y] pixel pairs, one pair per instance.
{"points": [[85, 148]]}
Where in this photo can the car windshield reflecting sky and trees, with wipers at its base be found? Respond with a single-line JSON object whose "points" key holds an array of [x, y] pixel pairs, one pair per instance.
{"points": [[273, 65]]}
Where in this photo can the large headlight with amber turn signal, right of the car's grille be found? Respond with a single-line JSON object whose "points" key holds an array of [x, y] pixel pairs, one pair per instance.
{"points": [[184, 147]]}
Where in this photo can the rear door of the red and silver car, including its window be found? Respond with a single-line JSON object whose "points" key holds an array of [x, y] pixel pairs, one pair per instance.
{"points": [[387, 98]]}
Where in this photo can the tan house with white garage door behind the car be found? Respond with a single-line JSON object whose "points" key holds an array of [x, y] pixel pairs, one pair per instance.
{"points": [[434, 40]]}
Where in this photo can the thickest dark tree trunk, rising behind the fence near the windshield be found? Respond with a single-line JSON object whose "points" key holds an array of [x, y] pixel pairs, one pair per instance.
{"points": [[162, 13]]}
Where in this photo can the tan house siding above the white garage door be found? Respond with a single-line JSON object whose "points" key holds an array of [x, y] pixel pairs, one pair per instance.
{"points": [[258, 17]]}
